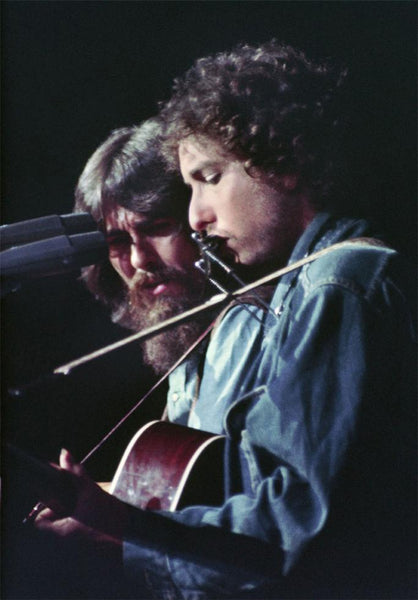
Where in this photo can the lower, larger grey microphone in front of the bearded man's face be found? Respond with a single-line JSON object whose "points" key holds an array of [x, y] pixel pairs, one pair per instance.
{"points": [[52, 256]]}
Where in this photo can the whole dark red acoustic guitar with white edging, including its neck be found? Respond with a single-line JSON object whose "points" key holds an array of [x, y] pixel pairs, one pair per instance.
{"points": [[164, 467]]}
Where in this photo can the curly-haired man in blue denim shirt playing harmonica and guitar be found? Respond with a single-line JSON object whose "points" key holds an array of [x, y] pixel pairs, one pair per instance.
{"points": [[319, 496]]}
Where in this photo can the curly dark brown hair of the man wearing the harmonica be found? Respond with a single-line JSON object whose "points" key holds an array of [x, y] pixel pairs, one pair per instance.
{"points": [[269, 106]]}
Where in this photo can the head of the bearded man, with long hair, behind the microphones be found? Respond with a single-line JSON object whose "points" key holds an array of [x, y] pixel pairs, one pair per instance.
{"points": [[142, 207]]}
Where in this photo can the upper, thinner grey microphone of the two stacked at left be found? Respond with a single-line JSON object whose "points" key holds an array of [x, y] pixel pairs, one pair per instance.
{"points": [[41, 228]]}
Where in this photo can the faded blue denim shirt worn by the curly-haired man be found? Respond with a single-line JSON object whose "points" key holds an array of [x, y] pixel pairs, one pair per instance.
{"points": [[320, 440]]}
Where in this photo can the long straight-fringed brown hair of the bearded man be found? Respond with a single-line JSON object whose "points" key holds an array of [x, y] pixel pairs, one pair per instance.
{"points": [[128, 170]]}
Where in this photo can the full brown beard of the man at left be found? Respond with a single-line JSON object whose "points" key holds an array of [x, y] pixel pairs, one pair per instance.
{"points": [[163, 350]]}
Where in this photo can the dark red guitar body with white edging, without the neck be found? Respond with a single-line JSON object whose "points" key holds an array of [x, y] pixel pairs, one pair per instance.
{"points": [[168, 466]]}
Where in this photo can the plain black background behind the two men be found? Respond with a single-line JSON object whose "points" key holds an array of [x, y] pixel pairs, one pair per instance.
{"points": [[73, 71]]}
